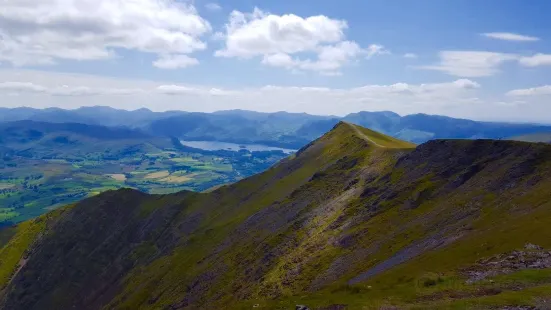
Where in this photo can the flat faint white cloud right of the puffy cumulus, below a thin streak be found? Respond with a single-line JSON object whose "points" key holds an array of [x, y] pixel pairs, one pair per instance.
{"points": [[470, 63]]}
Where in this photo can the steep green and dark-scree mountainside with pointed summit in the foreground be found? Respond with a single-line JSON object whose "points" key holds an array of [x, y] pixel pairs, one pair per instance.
{"points": [[354, 220]]}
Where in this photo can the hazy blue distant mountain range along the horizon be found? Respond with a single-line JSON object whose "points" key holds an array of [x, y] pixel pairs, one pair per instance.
{"points": [[291, 130]]}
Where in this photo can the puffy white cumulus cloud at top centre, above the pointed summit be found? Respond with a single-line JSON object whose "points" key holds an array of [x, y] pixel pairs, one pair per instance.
{"points": [[284, 40]]}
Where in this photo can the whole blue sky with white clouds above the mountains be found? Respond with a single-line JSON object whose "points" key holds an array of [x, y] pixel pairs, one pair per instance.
{"points": [[483, 60]]}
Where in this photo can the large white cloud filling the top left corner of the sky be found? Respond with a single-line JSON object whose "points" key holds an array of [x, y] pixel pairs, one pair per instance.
{"points": [[46, 31]]}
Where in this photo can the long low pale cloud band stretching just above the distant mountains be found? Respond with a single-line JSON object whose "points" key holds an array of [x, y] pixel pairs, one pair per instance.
{"points": [[45, 89]]}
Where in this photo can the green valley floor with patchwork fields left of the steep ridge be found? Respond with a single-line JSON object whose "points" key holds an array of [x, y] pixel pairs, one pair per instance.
{"points": [[44, 178]]}
